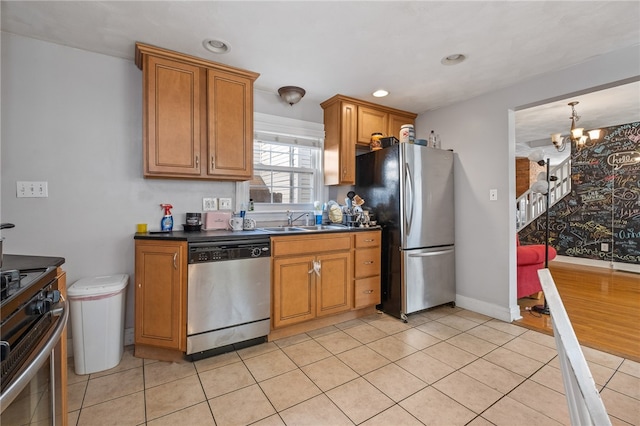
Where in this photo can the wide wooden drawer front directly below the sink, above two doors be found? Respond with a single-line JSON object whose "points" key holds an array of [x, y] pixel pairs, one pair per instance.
{"points": [[296, 245]]}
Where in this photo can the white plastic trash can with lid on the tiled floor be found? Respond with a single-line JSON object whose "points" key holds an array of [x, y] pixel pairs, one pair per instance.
{"points": [[97, 322]]}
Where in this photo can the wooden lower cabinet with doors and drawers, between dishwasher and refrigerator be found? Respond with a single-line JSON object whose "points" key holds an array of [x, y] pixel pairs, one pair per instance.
{"points": [[320, 275]]}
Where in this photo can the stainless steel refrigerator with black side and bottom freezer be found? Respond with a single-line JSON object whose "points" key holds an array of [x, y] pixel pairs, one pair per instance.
{"points": [[409, 188]]}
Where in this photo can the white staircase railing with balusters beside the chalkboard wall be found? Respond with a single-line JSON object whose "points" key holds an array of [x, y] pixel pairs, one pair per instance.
{"points": [[531, 205]]}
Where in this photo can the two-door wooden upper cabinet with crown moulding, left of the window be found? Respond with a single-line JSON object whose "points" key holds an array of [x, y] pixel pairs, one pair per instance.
{"points": [[198, 117]]}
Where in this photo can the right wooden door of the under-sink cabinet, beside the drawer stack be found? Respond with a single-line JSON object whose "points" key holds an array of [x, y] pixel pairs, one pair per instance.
{"points": [[333, 288]]}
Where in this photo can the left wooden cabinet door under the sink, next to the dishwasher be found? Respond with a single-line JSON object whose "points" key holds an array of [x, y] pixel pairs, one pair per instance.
{"points": [[294, 297]]}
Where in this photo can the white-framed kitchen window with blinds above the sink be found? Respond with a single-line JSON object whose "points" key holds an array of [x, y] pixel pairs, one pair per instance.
{"points": [[287, 164]]}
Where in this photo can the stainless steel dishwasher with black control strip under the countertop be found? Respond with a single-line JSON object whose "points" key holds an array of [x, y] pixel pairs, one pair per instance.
{"points": [[228, 295]]}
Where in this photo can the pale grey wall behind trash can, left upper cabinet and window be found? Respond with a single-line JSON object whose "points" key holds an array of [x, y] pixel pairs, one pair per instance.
{"points": [[74, 119]]}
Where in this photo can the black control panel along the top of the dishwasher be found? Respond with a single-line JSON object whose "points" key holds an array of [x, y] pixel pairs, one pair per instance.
{"points": [[228, 250]]}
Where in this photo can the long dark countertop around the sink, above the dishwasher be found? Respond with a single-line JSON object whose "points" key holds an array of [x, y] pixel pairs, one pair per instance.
{"points": [[222, 234]]}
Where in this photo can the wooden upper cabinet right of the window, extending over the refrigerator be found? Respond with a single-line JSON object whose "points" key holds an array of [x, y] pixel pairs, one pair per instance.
{"points": [[348, 123]]}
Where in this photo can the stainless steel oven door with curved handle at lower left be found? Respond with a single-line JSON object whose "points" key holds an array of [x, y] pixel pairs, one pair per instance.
{"points": [[34, 394]]}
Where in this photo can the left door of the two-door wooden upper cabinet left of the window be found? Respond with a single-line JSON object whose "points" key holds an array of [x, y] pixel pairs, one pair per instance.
{"points": [[172, 109]]}
